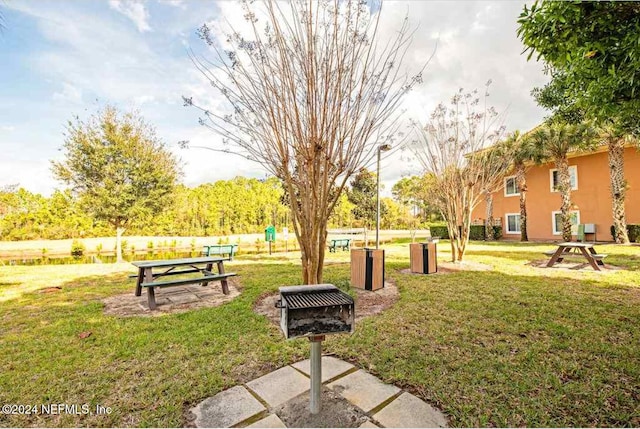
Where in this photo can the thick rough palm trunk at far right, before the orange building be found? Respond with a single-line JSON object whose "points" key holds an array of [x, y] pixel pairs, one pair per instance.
{"points": [[618, 189]]}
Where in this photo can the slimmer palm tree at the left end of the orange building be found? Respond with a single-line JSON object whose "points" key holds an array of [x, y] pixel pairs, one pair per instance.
{"points": [[524, 153]]}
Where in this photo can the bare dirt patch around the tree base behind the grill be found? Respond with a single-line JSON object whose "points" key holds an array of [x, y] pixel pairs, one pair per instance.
{"points": [[367, 302]]}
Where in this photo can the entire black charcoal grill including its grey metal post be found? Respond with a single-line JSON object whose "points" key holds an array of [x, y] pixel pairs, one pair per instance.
{"points": [[313, 312]]}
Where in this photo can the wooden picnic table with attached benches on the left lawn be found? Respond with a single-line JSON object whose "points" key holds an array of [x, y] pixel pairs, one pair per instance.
{"points": [[147, 278]]}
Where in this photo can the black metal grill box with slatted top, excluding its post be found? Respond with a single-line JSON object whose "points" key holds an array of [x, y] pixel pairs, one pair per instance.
{"points": [[306, 311]]}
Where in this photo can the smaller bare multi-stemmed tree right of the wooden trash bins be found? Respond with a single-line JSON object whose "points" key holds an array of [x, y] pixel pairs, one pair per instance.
{"points": [[454, 146]]}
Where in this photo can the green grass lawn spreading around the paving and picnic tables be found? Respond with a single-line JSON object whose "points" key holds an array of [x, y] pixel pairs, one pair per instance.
{"points": [[512, 346]]}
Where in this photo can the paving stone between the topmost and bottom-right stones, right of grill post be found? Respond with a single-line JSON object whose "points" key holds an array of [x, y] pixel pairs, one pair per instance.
{"points": [[364, 390]]}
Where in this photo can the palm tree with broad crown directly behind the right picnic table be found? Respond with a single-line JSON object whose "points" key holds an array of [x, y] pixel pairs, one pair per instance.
{"points": [[555, 140]]}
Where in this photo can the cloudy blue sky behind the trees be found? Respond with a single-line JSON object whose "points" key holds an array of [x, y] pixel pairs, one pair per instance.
{"points": [[65, 58]]}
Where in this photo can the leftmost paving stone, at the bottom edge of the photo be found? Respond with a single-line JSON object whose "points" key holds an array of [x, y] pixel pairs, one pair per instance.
{"points": [[227, 408]]}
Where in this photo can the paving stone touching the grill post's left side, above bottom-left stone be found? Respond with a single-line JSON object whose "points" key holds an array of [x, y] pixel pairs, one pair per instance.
{"points": [[280, 385]]}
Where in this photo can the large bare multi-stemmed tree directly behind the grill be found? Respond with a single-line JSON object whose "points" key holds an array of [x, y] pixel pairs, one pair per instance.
{"points": [[312, 94]]}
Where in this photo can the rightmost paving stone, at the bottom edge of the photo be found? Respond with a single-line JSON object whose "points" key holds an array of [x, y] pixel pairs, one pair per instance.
{"points": [[408, 411]]}
